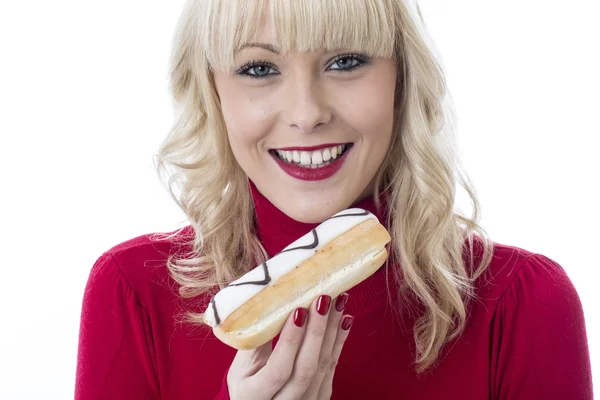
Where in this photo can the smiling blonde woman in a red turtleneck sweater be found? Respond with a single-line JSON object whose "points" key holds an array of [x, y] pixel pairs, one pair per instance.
{"points": [[290, 113]]}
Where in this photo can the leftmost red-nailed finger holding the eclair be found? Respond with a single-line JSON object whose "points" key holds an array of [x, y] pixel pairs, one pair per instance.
{"points": [[280, 365]]}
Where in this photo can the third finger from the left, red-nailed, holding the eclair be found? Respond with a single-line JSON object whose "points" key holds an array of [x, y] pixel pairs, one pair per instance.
{"points": [[327, 361]]}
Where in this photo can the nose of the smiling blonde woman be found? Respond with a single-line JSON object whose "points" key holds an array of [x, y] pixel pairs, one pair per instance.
{"points": [[307, 106]]}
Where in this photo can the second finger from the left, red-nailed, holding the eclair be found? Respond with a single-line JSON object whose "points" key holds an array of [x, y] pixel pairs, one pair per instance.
{"points": [[307, 360]]}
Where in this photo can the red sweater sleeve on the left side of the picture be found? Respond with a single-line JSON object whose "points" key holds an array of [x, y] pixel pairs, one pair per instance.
{"points": [[114, 357]]}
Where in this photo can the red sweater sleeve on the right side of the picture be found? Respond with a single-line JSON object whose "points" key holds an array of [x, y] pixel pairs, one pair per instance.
{"points": [[539, 345]]}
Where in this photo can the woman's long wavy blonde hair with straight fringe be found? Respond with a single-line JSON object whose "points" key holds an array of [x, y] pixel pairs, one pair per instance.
{"points": [[420, 170]]}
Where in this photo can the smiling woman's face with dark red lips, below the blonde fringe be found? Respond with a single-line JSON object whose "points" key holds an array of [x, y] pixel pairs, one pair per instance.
{"points": [[310, 129]]}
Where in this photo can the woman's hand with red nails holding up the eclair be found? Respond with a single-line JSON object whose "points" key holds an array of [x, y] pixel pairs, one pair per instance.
{"points": [[302, 364]]}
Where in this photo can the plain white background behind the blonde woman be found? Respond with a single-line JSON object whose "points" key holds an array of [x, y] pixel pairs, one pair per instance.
{"points": [[84, 106]]}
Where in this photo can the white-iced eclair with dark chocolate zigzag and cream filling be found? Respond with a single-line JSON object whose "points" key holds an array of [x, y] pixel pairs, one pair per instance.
{"points": [[338, 254]]}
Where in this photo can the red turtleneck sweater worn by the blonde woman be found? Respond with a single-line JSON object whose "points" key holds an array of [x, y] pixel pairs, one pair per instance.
{"points": [[525, 337]]}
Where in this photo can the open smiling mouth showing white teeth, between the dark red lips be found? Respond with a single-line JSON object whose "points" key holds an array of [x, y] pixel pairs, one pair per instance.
{"points": [[314, 159]]}
